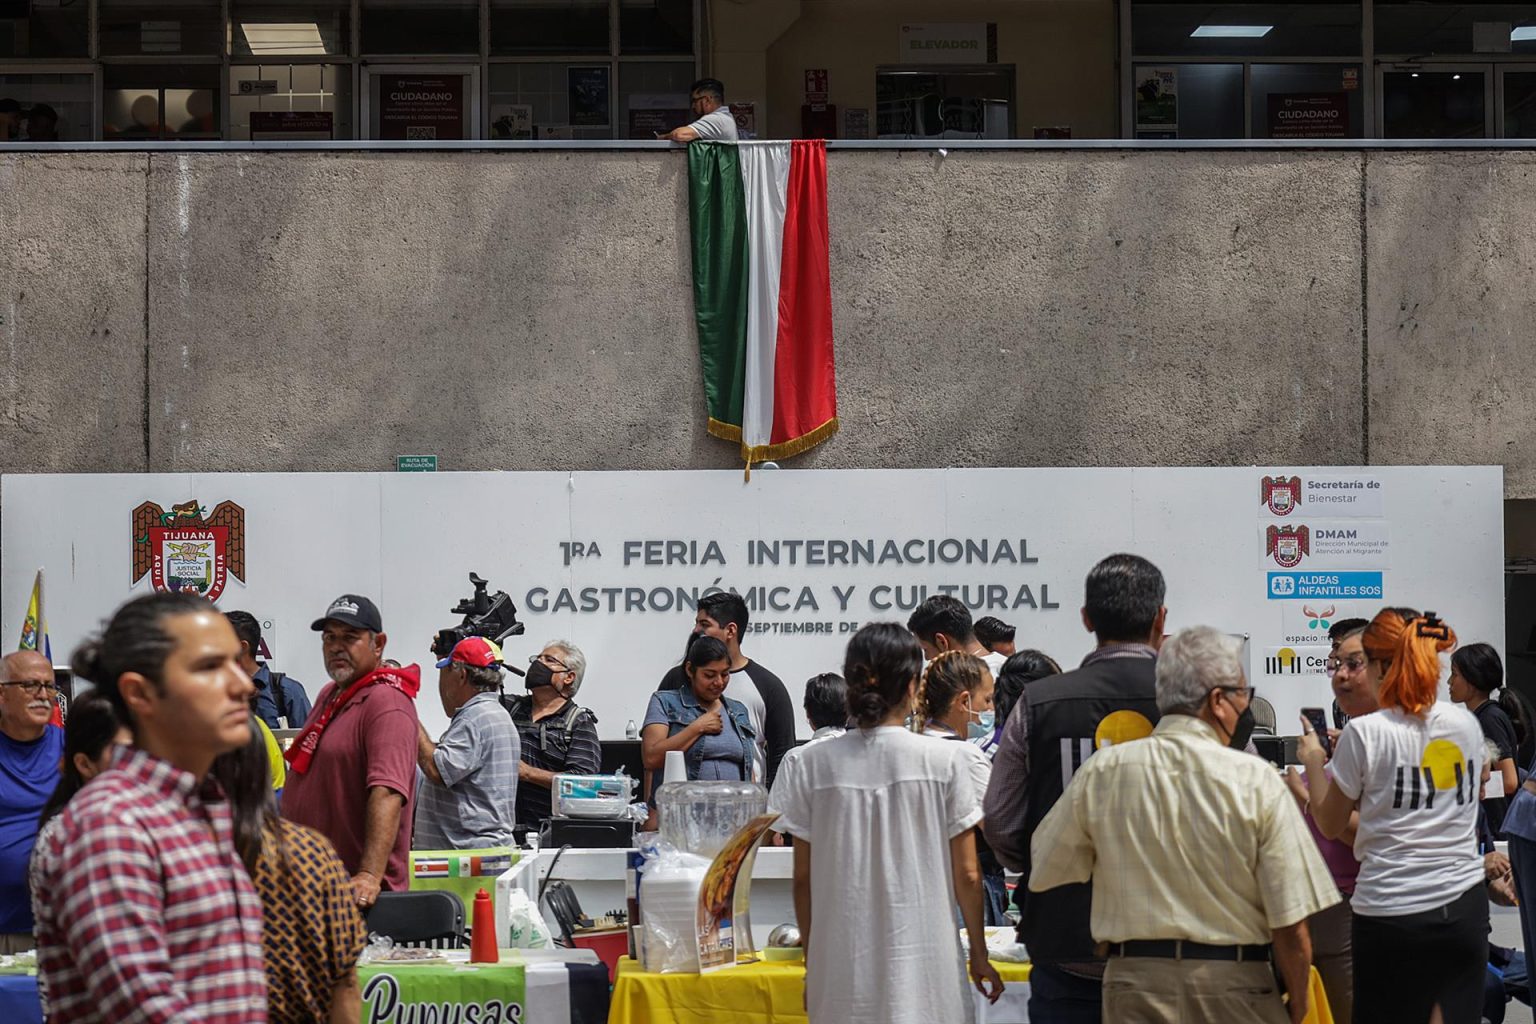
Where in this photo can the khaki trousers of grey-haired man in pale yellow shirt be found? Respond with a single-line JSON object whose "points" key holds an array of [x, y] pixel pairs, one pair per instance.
{"points": [[1156, 991]]}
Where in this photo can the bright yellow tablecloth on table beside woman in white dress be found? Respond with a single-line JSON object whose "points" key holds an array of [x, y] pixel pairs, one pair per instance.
{"points": [[769, 994]]}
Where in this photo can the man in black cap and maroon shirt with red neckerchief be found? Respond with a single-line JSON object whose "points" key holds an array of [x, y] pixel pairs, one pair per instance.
{"points": [[353, 770]]}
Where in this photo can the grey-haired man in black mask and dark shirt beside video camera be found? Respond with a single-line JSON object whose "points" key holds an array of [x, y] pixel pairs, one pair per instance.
{"points": [[558, 735]]}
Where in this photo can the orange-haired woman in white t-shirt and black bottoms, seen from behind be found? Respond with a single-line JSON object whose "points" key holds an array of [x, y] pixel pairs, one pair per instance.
{"points": [[1412, 770]]}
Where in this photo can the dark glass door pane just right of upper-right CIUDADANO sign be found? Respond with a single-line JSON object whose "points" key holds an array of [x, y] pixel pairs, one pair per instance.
{"points": [[1435, 102]]}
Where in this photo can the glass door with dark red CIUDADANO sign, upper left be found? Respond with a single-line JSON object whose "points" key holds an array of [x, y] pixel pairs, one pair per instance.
{"points": [[422, 104]]}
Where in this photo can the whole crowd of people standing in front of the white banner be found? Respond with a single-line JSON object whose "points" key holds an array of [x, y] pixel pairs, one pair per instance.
{"points": [[1167, 873]]}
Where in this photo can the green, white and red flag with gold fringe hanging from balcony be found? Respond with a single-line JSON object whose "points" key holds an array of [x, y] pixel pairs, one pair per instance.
{"points": [[763, 294]]}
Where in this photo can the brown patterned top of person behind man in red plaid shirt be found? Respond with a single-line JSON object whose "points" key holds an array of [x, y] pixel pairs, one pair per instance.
{"points": [[314, 934]]}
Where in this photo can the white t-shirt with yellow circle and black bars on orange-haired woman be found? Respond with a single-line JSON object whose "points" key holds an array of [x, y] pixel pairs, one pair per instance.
{"points": [[1417, 782]]}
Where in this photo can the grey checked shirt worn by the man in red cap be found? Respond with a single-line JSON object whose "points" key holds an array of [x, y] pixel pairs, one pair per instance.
{"points": [[477, 802]]}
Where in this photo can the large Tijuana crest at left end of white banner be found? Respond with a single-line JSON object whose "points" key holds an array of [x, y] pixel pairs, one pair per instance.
{"points": [[190, 549]]}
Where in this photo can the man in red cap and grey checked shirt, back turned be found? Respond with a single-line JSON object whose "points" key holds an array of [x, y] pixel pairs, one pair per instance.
{"points": [[471, 796]]}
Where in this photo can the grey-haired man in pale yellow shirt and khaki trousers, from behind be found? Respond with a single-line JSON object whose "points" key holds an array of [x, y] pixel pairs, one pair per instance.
{"points": [[1203, 871]]}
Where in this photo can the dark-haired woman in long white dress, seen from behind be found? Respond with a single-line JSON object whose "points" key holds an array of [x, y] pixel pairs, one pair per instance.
{"points": [[884, 851]]}
